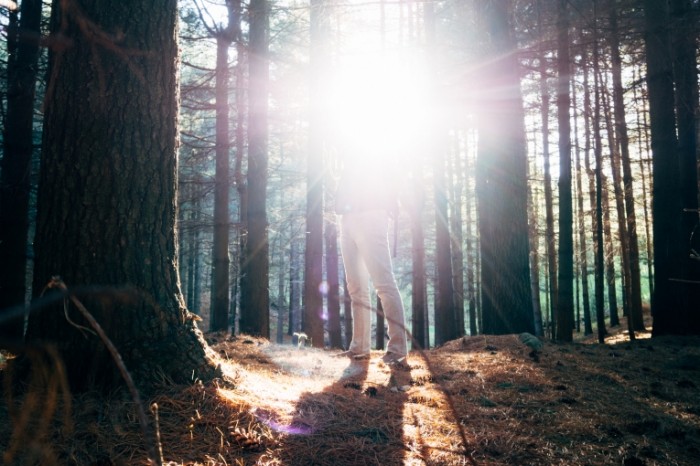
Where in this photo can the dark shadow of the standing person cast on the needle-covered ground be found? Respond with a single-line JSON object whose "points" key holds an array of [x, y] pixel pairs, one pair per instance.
{"points": [[358, 420]]}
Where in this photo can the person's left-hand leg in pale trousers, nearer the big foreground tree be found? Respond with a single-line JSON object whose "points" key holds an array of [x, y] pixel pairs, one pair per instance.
{"points": [[357, 278]]}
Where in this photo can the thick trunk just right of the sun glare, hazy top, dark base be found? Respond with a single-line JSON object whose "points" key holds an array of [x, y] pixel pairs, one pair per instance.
{"points": [[502, 184]]}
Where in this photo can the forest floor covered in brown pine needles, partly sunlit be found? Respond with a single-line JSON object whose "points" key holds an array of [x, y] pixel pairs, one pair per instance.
{"points": [[485, 400]]}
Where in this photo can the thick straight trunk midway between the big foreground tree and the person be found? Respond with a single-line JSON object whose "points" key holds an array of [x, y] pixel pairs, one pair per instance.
{"points": [[255, 295]]}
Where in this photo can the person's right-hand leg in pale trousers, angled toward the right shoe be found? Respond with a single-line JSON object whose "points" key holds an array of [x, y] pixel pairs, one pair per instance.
{"points": [[373, 246]]}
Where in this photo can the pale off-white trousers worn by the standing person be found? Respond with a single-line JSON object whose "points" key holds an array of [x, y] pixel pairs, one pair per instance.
{"points": [[364, 244]]}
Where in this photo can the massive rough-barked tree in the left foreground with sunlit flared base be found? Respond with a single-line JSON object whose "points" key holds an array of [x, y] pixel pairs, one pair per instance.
{"points": [[107, 203]]}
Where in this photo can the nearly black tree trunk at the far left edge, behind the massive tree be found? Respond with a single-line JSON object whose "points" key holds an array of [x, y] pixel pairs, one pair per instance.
{"points": [[15, 171]]}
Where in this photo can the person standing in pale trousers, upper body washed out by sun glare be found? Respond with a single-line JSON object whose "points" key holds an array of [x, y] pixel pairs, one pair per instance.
{"points": [[366, 200]]}
